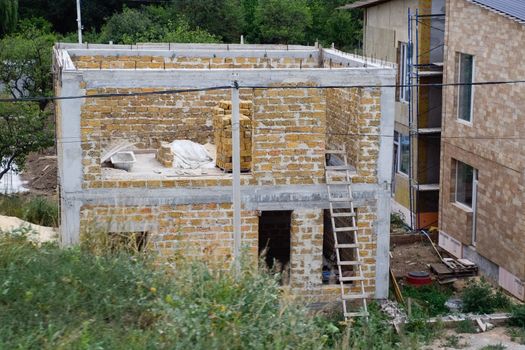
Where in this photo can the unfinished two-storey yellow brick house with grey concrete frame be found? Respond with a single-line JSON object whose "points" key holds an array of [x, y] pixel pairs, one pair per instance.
{"points": [[123, 166]]}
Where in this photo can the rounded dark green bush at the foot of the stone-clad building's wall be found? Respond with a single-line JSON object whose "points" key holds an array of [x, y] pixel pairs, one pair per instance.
{"points": [[478, 297]]}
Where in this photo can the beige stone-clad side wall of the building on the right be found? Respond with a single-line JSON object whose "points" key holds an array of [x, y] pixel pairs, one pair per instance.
{"points": [[493, 143]]}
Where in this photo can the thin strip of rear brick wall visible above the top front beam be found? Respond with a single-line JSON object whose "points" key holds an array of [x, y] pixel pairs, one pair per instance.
{"points": [[185, 62]]}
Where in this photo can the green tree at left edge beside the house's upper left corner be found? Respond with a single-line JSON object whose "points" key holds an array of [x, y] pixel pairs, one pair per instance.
{"points": [[25, 62]]}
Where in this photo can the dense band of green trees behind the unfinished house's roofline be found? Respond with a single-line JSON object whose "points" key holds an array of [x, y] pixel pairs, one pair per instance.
{"points": [[260, 21]]}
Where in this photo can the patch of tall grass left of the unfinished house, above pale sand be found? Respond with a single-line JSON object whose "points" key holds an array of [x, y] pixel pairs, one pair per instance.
{"points": [[37, 210]]}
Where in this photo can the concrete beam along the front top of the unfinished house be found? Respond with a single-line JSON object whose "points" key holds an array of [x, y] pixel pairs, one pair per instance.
{"points": [[198, 78]]}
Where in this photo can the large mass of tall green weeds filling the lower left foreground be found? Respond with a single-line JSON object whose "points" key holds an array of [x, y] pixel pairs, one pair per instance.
{"points": [[52, 298]]}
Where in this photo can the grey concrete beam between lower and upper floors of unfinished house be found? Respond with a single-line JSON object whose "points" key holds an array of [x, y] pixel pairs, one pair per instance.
{"points": [[253, 197]]}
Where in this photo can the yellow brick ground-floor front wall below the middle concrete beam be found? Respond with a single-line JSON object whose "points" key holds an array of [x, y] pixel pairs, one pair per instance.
{"points": [[204, 232]]}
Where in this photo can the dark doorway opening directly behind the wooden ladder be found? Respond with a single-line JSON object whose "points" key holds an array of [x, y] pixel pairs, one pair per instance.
{"points": [[330, 271]]}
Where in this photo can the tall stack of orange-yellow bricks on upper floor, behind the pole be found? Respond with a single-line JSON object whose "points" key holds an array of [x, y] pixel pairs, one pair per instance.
{"points": [[222, 126]]}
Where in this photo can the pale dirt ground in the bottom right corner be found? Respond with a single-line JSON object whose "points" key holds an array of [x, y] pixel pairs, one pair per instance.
{"points": [[496, 336]]}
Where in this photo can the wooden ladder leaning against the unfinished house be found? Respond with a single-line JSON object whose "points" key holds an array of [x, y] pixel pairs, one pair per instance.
{"points": [[342, 209]]}
